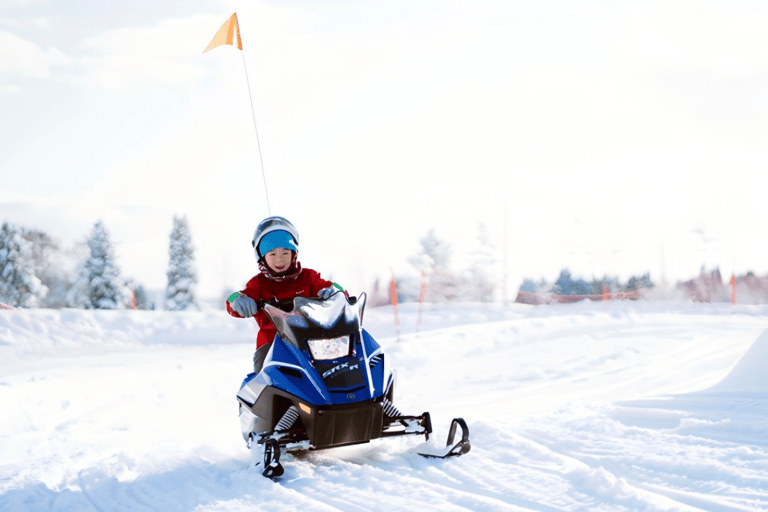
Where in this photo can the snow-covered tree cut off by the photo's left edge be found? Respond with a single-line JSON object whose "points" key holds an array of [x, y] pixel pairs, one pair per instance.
{"points": [[19, 286]]}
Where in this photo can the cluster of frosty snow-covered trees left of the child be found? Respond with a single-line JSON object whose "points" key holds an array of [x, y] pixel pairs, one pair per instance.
{"points": [[35, 271]]}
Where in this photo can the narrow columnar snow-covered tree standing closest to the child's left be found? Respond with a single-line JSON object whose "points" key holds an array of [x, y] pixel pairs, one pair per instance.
{"points": [[180, 292]]}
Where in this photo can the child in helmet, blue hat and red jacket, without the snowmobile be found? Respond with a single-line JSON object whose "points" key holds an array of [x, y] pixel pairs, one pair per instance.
{"points": [[276, 245]]}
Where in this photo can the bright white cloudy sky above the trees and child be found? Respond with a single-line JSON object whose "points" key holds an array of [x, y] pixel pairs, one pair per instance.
{"points": [[612, 138]]}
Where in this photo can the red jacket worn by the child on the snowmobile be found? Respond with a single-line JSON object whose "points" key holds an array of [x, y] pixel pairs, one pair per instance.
{"points": [[261, 288]]}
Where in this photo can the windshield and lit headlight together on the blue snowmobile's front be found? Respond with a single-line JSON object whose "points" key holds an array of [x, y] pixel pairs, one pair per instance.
{"points": [[328, 329]]}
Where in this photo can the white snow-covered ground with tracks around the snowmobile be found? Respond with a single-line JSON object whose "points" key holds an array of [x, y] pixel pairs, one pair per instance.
{"points": [[591, 406]]}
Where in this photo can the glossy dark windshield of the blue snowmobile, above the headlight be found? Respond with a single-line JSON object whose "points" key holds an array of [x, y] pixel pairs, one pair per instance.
{"points": [[317, 318]]}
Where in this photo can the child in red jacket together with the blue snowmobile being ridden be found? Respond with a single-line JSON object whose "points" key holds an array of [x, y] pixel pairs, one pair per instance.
{"points": [[319, 379]]}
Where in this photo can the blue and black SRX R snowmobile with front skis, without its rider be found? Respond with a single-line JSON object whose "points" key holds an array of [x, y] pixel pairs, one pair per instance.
{"points": [[325, 383]]}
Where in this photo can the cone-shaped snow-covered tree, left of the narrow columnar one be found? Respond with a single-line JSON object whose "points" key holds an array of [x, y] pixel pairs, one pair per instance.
{"points": [[98, 285]]}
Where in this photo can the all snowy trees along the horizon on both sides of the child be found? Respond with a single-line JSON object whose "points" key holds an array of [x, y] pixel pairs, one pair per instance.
{"points": [[36, 271]]}
